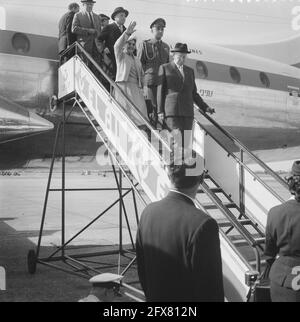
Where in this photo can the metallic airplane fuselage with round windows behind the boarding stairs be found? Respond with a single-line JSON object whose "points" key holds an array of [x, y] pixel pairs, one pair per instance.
{"points": [[262, 108]]}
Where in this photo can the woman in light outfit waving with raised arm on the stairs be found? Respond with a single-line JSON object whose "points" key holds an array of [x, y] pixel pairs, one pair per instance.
{"points": [[130, 75]]}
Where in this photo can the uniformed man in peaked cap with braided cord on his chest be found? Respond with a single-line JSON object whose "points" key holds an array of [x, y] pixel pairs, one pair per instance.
{"points": [[153, 53]]}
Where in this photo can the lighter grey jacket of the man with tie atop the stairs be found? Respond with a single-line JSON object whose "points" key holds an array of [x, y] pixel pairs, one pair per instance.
{"points": [[80, 26]]}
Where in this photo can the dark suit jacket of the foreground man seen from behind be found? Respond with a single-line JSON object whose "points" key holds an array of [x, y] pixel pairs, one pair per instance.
{"points": [[178, 252]]}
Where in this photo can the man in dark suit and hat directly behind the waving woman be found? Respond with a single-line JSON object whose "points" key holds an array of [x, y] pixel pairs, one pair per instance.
{"points": [[111, 33]]}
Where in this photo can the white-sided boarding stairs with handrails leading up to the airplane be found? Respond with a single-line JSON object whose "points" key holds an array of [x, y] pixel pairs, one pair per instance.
{"points": [[231, 192]]}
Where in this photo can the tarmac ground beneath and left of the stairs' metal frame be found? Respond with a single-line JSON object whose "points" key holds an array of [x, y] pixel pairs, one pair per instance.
{"points": [[21, 204]]}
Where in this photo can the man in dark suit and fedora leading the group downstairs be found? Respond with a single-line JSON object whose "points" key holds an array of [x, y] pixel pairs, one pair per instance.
{"points": [[177, 93]]}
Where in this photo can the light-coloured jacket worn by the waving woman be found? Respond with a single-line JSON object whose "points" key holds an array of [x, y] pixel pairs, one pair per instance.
{"points": [[125, 62]]}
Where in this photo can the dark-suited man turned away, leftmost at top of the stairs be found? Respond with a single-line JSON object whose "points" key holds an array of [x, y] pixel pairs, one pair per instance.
{"points": [[66, 38]]}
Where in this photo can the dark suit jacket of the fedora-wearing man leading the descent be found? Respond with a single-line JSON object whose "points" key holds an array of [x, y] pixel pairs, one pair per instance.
{"points": [[175, 95]]}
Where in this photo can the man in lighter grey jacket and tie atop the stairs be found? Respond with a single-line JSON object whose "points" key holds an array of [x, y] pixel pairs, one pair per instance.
{"points": [[87, 26]]}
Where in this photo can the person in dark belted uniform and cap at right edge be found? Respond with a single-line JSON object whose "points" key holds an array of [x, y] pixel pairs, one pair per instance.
{"points": [[283, 243]]}
